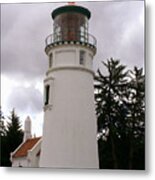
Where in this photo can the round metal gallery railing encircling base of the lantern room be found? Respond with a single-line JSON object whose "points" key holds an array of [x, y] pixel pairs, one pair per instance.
{"points": [[70, 37]]}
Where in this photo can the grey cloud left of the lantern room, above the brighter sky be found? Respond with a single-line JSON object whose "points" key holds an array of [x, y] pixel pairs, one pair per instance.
{"points": [[24, 28]]}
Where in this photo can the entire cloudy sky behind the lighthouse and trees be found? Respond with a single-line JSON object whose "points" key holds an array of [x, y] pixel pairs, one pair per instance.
{"points": [[117, 25]]}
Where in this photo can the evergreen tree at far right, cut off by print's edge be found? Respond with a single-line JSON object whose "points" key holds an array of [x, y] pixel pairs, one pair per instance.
{"points": [[136, 119]]}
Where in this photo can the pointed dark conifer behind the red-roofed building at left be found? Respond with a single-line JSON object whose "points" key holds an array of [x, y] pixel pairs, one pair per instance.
{"points": [[11, 139]]}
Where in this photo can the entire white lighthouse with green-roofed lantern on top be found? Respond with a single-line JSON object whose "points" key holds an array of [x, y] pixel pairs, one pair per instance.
{"points": [[69, 132]]}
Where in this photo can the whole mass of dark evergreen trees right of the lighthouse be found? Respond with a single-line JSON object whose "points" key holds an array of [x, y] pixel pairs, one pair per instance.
{"points": [[120, 109]]}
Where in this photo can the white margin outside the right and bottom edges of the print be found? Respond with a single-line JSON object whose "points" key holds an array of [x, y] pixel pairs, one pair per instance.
{"points": [[40, 174]]}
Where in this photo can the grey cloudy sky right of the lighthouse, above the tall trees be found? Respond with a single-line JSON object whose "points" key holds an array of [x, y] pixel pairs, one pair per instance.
{"points": [[117, 27]]}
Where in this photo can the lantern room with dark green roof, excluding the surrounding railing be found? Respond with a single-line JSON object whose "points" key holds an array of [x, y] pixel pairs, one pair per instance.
{"points": [[71, 23]]}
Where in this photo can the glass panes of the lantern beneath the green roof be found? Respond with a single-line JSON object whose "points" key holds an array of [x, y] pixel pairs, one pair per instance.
{"points": [[71, 27]]}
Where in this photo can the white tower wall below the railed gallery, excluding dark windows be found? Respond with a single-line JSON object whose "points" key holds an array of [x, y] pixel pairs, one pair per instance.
{"points": [[69, 134]]}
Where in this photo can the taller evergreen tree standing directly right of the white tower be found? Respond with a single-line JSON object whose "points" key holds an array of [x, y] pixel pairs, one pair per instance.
{"points": [[110, 90]]}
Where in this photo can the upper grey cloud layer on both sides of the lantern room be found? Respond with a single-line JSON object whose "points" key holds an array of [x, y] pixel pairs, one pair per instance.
{"points": [[25, 26]]}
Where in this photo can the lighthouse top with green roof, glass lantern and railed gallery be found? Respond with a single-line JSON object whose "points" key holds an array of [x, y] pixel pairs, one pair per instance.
{"points": [[71, 26]]}
